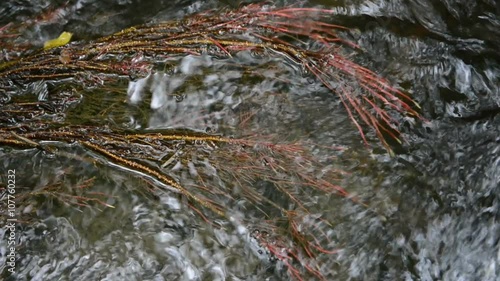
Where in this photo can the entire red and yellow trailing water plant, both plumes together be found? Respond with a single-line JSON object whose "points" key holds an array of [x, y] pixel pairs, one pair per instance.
{"points": [[218, 165]]}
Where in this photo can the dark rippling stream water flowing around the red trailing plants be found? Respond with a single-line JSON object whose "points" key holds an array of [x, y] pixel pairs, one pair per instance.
{"points": [[434, 208]]}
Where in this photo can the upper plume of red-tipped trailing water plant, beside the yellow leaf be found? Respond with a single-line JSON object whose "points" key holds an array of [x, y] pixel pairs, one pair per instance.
{"points": [[263, 29]]}
